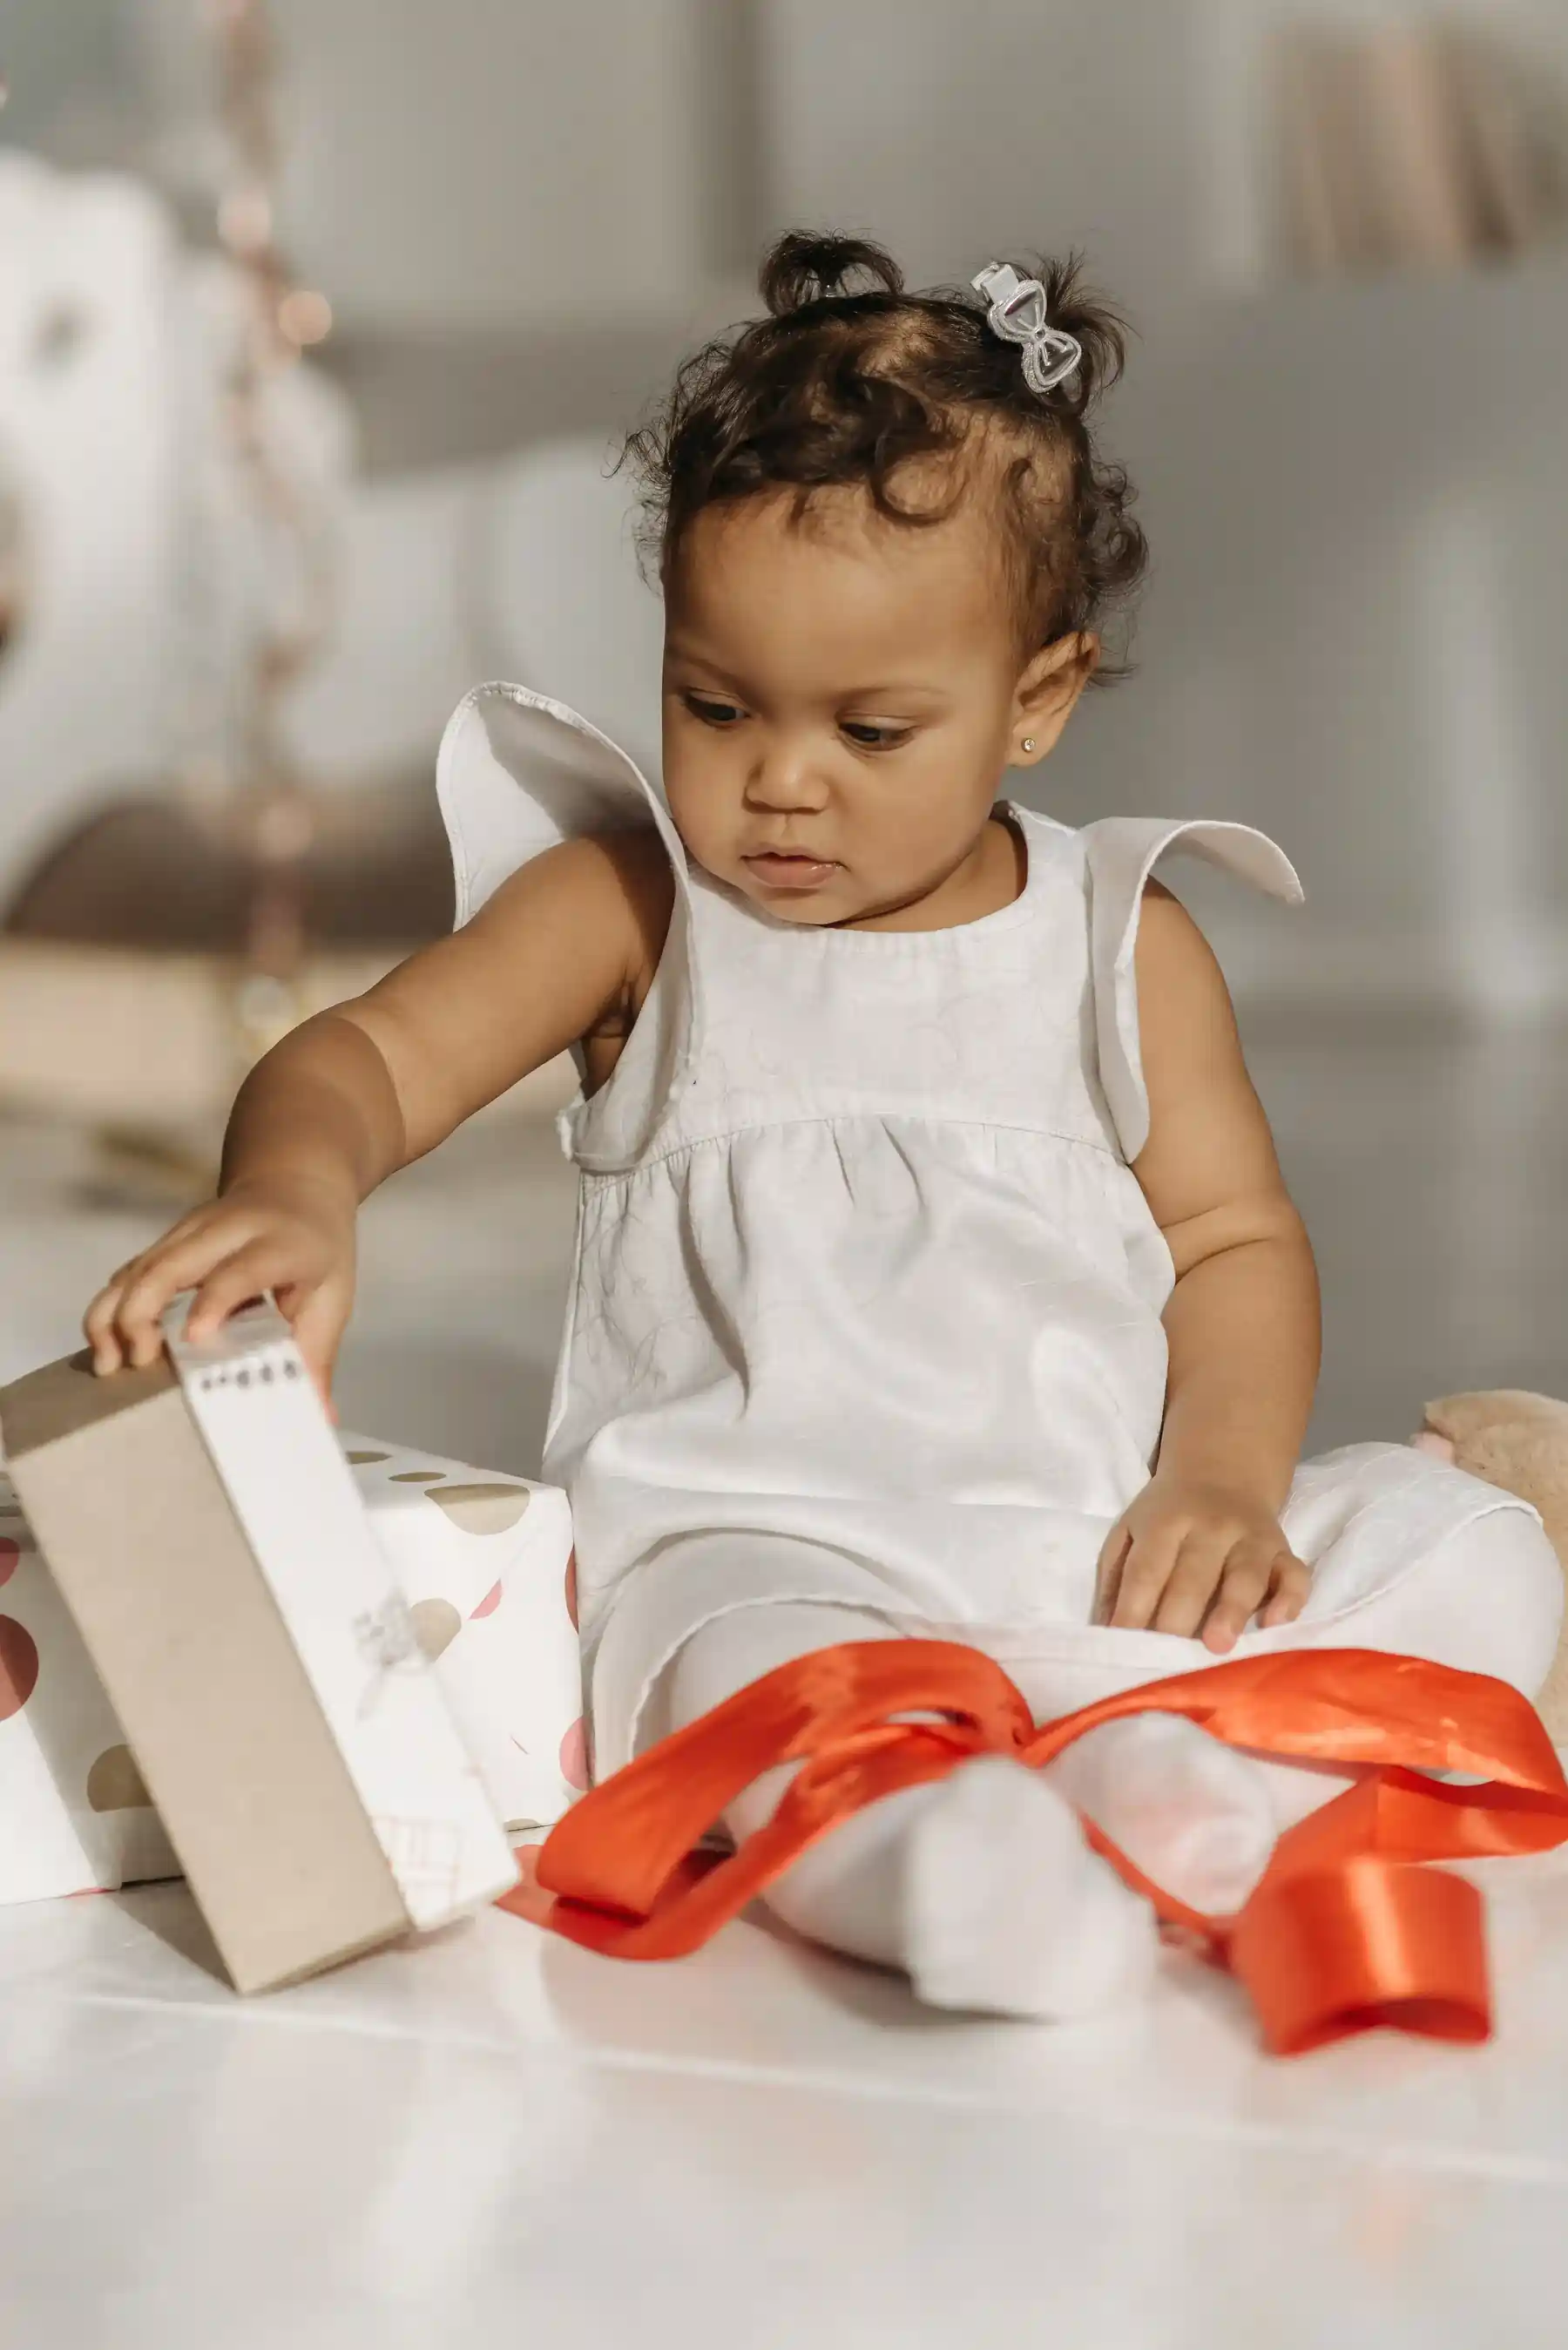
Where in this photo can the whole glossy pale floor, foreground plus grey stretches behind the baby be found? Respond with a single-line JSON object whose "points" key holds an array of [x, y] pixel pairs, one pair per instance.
{"points": [[500, 2137]]}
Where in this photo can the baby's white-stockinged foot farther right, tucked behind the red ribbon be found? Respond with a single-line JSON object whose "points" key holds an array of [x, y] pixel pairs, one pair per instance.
{"points": [[1191, 1813]]}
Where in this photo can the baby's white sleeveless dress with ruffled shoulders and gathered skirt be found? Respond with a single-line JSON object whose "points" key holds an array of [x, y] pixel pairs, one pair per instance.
{"points": [[866, 1301]]}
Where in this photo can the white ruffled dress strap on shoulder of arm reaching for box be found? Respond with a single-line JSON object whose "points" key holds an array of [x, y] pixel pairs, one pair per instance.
{"points": [[521, 774]]}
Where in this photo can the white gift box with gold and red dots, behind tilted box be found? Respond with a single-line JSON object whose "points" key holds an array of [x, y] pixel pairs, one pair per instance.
{"points": [[488, 1576]]}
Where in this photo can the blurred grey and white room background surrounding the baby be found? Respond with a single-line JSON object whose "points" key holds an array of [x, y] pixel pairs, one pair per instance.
{"points": [[319, 325]]}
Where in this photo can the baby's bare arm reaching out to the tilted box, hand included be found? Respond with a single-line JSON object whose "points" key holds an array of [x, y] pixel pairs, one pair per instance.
{"points": [[563, 953]]}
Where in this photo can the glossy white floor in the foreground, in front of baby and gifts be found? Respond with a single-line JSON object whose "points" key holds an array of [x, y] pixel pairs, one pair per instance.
{"points": [[504, 2140]]}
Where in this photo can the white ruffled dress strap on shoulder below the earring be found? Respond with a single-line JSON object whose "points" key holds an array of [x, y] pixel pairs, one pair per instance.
{"points": [[1123, 852]]}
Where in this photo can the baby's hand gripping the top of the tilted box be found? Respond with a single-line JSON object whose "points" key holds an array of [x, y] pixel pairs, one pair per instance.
{"points": [[288, 1235]]}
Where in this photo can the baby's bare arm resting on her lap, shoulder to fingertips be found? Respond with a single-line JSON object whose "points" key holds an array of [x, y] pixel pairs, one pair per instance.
{"points": [[1202, 1545]]}
